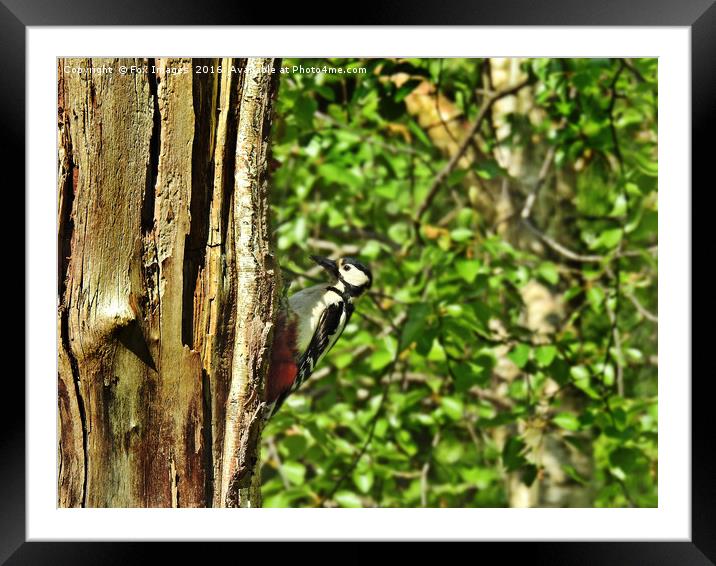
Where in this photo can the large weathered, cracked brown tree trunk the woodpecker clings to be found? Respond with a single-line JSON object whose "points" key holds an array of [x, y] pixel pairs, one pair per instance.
{"points": [[166, 283]]}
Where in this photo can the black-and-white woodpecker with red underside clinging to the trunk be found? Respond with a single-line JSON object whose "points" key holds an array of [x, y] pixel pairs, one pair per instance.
{"points": [[310, 325]]}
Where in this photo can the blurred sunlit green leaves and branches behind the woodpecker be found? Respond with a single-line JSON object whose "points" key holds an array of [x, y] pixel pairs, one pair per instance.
{"points": [[507, 354]]}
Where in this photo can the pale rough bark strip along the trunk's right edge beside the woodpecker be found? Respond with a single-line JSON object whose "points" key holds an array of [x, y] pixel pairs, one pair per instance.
{"points": [[256, 288]]}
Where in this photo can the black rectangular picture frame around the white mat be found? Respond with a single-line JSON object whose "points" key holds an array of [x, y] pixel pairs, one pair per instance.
{"points": [[699, 15]]}
